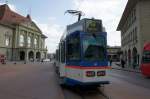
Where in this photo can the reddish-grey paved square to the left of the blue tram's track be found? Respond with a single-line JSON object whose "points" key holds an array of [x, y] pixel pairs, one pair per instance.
{"points": [[28, 81]]}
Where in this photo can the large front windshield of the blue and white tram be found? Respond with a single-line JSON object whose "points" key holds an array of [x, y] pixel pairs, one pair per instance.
{"points": [[94, 48]]}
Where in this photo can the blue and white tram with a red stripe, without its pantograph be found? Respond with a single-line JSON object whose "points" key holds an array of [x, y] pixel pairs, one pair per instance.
{"points": [[81, 58]]}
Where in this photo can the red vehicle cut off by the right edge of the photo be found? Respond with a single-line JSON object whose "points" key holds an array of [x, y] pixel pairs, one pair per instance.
{"points": [[145, 64]]}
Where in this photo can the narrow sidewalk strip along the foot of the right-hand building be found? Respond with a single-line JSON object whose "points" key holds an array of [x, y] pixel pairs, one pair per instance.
{"points": [[116, 65]]}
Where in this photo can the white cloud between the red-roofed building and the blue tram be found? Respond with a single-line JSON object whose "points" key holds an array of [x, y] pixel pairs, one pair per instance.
{"points": [[53, 31]]}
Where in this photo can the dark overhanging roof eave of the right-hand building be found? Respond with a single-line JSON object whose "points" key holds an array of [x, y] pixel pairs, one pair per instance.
{"points": [[128, 9]]}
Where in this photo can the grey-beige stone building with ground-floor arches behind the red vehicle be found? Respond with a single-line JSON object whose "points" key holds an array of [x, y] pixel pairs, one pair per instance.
{"points": [[135, 31]]}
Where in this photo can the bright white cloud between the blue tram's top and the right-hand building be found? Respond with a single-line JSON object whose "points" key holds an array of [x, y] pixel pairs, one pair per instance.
{"points": [[109, 11]]}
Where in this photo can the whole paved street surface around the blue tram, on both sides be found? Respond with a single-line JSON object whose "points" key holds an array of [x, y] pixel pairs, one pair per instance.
{"points": [[39, 81]]}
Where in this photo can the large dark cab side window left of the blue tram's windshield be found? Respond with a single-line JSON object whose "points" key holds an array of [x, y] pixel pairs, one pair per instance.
{"points": [[73, 49]]}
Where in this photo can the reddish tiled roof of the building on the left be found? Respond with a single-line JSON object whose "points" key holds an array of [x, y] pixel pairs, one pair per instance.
{"points": [[7, 16]]}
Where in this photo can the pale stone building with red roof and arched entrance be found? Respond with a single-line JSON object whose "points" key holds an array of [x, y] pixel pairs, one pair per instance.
{"points": [[20, 37]]}
